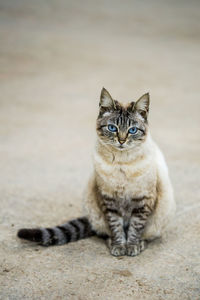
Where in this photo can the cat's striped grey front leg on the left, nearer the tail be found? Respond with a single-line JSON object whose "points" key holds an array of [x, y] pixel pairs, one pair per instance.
{"points": [[117, 242]]}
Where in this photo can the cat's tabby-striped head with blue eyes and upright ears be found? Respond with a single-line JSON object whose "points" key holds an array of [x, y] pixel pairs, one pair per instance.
{"points": [[122, 127]]}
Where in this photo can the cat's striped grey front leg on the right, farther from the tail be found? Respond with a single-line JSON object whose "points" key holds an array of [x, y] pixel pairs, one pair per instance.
{"points": [[135, 245]]}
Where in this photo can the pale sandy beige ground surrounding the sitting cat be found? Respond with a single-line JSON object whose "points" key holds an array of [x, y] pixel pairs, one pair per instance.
{"points": [[55, 56]]}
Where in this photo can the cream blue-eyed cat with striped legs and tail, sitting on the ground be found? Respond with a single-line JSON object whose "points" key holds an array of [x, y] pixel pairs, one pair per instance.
{"points": [[129, 197]]}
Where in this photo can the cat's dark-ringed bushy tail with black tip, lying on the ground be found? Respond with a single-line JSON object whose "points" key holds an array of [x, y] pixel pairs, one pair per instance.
{"points": [[69, 232]]}
